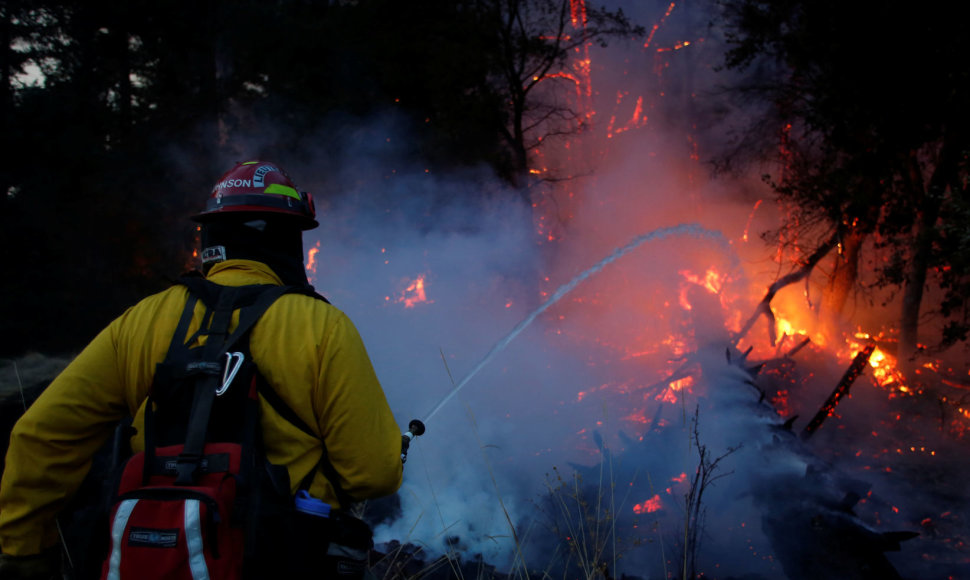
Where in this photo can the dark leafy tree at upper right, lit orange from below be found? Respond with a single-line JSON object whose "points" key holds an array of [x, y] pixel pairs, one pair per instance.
{"points": [[865, 158]]}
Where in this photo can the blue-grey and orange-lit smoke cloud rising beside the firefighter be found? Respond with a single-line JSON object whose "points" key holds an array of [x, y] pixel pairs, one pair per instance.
{"points": [[587, 389]]}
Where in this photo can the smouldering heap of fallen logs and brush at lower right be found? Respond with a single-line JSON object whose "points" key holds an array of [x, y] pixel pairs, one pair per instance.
{"points": [[799, 456]]}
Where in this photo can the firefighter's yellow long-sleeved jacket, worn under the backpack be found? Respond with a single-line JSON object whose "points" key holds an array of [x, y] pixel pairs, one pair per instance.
{"points": [[308, 351]]}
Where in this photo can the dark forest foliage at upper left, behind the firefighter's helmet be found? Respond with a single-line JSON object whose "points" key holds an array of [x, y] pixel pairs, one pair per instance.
{"points": [[116, 119]]}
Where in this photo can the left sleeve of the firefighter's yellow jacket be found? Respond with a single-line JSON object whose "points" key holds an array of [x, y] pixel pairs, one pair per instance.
{"points": [[52, 445]]}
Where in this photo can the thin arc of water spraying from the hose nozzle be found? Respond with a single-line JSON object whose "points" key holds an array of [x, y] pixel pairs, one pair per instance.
{"points": [[693, 230]]}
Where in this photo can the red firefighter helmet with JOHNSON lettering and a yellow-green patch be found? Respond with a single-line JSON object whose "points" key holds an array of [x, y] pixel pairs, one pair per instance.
{"points": [[258, 187]]}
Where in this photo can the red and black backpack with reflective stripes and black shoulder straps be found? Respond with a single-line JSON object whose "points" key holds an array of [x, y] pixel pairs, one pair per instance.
{"points": [[202, 501]]}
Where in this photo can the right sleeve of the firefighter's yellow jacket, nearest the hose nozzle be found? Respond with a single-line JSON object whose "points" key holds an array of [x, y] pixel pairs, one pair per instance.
{"points": [[361, 434]]}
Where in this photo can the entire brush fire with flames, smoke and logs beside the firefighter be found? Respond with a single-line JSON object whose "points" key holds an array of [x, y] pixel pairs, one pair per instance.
{"points": [[689, 408]]}
